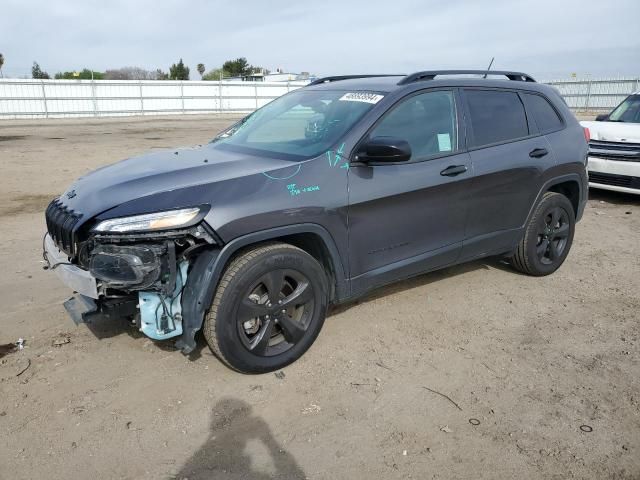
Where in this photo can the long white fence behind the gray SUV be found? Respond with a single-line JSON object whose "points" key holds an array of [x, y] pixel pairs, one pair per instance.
{"points": [[87, 98]]}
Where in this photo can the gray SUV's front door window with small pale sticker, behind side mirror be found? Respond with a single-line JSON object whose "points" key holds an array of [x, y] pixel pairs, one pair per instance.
{"points": [[427, 121]]}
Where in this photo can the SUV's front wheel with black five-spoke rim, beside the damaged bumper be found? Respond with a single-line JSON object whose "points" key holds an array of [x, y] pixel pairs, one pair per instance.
{"points": [[246, 327]]}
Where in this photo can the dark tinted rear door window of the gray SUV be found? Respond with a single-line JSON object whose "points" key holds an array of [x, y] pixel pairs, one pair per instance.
{"points": [[496, 116]]}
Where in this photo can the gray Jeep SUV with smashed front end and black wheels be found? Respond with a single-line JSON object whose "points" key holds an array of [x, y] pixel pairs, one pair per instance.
{"points": [[332, 190]]}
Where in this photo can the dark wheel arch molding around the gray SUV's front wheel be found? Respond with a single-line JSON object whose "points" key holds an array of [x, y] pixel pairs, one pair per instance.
{"points": [[208, 267]]}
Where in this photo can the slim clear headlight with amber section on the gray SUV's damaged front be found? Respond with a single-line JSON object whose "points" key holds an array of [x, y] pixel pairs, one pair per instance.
{"points": [[149, 221]]}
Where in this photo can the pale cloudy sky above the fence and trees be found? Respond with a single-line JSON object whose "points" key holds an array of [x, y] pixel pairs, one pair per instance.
{"points": [[547, 39]]}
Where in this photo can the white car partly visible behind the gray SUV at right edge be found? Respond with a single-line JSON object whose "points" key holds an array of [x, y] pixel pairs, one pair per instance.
{"points": [[614, 148]]}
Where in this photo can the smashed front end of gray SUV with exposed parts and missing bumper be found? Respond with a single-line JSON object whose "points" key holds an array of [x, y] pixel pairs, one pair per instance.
{"points": [[133, 267]]}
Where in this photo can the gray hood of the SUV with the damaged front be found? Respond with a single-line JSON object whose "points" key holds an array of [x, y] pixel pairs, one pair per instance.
{"points": [[178, 173]]}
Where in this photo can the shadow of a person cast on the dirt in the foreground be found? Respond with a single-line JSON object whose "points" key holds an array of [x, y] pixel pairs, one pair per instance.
{"points": [[240, 446]]}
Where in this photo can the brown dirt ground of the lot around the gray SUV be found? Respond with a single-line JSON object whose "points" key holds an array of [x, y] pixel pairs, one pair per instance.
{"points": [[548, 368]]}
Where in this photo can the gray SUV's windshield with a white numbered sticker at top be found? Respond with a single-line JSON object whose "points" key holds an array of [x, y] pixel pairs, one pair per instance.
{"points": [[299, 125]]}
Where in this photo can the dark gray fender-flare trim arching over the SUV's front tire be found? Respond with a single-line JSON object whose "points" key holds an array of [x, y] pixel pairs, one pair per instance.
{"points": [[208, 267]]}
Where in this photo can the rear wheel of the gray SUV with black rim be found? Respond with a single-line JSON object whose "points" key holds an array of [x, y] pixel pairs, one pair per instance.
{"points": [[548, 236]]}
